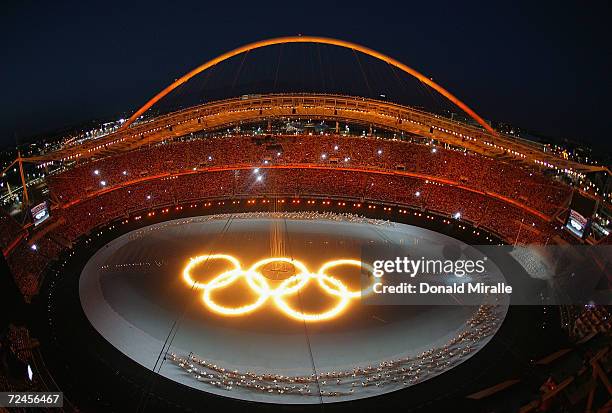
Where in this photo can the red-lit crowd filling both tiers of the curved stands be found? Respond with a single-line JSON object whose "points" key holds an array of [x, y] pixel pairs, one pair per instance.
{"points": [[172, 174]]}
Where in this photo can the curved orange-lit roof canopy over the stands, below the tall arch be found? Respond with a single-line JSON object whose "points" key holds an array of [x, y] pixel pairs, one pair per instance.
{"points": [[376, 113]]}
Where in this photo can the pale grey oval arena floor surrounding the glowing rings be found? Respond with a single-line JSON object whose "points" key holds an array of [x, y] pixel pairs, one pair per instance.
{"points": [[135, 294]]}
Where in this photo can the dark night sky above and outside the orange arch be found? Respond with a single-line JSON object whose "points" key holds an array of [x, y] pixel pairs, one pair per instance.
{"points": [[543, 66]]}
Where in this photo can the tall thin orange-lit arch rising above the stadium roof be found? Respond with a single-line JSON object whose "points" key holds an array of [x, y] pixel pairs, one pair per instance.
{"points": [[309, 39]]}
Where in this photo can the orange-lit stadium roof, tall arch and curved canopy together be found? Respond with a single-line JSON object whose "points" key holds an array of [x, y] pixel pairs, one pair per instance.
{"points": [[385, 115]]}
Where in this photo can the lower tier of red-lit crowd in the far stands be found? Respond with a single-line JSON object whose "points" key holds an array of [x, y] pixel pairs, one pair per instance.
{"points": [[505, 219]]}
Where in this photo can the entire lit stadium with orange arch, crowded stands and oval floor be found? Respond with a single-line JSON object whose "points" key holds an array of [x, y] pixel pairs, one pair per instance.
{"points": [[214, 255]]}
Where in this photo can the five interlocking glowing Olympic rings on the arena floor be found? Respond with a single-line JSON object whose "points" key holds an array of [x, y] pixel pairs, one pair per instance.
{"points": [[289, 286]]}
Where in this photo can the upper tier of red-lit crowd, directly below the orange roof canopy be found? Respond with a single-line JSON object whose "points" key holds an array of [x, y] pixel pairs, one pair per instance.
{"points": [[472, 170]]}
